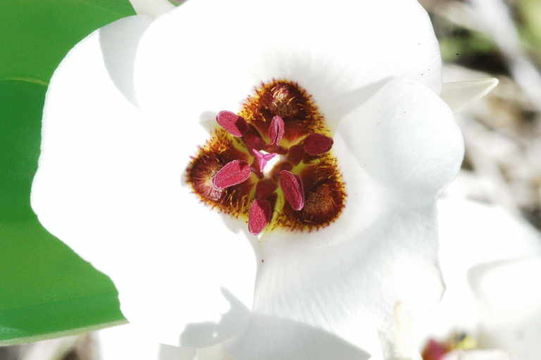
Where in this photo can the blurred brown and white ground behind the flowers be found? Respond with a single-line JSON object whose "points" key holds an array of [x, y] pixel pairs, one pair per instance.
{"points": [[478, 39]]}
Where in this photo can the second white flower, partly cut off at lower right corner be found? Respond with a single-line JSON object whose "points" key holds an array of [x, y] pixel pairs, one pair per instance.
{"points": [[489, 261]]}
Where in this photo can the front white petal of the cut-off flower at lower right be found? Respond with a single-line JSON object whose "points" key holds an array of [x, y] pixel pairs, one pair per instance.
{"points": [[510, 298]]}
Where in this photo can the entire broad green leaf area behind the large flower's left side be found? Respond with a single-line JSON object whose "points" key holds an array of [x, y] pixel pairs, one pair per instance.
{"points": [[45, 289]]}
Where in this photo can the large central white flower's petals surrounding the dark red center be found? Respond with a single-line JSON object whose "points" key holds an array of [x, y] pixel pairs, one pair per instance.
{"points": [[109, 178]]}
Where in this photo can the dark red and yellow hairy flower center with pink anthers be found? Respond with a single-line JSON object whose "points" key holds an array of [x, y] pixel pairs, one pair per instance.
{"points": [[271, 163]]}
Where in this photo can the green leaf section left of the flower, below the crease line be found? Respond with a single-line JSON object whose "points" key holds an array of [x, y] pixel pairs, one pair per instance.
{"points": [[45, 288]]}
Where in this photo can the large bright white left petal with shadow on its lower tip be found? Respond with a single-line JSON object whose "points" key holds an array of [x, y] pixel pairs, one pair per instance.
{"points": [[109, 185]]}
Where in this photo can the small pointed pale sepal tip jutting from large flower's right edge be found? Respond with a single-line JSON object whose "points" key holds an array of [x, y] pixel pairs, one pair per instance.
{"points": [[461, 93]]}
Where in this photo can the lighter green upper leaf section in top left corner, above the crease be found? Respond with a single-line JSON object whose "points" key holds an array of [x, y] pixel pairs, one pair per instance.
{"points": [[36, 34]]}
